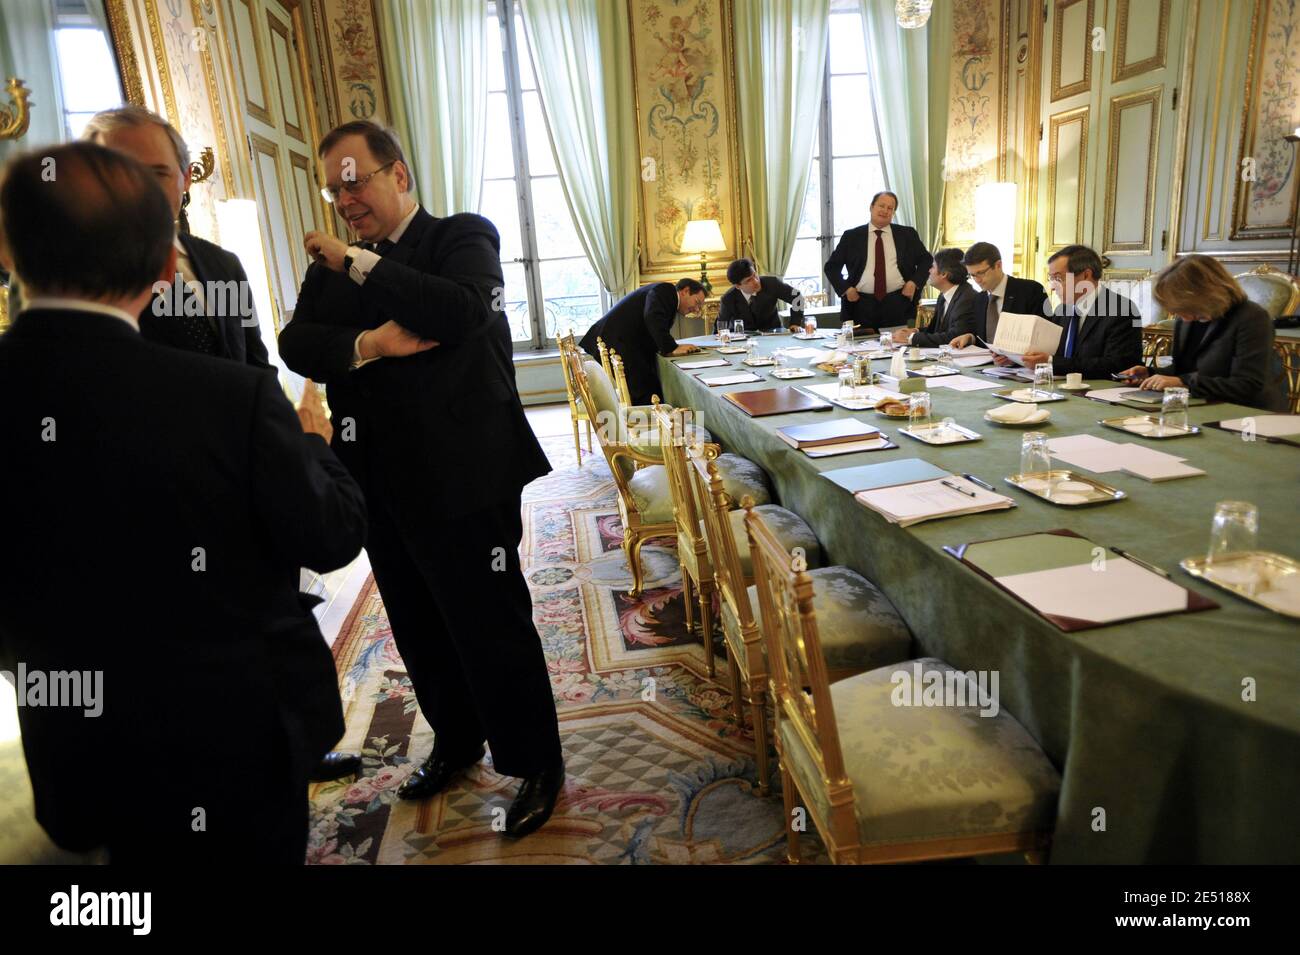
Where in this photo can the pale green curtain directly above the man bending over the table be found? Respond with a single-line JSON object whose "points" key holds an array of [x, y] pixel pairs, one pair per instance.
{"points": [[583, 50]]}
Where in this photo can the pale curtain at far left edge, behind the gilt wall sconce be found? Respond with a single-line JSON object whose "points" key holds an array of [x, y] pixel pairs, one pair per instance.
{"points": [[28, 53]]}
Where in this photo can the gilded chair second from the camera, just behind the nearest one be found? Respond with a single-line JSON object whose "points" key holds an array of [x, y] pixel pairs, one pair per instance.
{"points": [[882, 639]]}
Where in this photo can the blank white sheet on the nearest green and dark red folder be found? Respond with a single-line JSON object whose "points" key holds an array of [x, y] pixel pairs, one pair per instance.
{"points": [[1120, 592]]}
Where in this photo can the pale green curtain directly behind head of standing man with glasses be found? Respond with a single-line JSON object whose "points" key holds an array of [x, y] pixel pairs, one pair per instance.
{"points": [[437, 70]]}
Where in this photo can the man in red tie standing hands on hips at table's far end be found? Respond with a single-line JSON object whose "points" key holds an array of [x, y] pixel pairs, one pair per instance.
{"points": [[887, 267]]}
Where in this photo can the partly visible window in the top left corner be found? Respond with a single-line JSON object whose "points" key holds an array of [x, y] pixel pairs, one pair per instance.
{"points": [[88, 75]]}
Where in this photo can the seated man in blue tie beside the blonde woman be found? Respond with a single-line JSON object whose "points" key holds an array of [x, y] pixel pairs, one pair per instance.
{"points": [[1102, 328]]}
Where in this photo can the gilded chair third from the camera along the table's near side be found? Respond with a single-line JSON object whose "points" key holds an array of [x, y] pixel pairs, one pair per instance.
{"points": [[697, 574]]}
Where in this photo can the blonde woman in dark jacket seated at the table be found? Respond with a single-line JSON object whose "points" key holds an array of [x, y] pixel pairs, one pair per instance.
{"points": [[1223, 342]]}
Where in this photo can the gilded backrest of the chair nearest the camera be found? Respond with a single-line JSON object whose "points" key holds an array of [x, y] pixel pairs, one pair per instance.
{"points": [[801, 688]]}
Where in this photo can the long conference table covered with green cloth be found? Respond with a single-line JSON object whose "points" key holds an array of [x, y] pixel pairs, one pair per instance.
{"points": [[1178, 737]]}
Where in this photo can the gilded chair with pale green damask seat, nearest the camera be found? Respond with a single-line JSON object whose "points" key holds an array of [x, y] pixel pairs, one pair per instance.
{"points": [[886, 779]]}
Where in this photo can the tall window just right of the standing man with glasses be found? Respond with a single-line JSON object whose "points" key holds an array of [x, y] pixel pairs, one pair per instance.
{"points": [[551, 285]]}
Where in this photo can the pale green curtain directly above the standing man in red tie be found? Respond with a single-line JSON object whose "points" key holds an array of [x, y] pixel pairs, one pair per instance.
{"points": [[900, 86]]}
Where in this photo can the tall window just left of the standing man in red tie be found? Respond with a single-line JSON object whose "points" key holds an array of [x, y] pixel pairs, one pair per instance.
{"points": [[840, 190]]}
